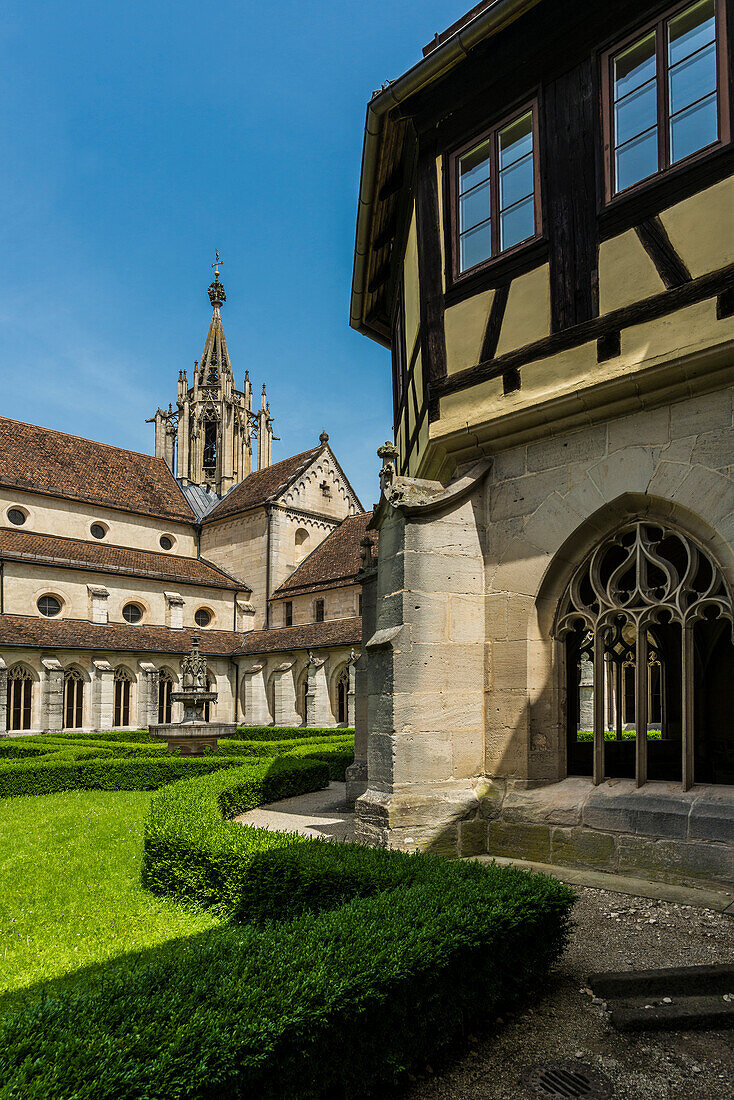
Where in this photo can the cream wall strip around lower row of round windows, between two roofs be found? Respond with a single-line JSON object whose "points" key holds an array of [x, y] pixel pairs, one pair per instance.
{"points": [[25, 584]]}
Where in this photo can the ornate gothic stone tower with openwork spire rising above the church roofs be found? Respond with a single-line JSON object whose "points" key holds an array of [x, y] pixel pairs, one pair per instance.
{"points": [[209, 439]]}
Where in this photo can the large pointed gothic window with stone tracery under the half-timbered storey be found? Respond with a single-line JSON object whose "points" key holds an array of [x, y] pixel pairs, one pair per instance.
{"points": [[648, 624]]}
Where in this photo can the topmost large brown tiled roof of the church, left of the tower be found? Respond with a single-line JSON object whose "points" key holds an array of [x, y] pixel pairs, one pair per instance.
{"points": [[42, 460]]}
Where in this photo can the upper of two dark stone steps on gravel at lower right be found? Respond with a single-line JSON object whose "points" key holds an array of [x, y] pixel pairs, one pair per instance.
{"points": [[683, 982]]}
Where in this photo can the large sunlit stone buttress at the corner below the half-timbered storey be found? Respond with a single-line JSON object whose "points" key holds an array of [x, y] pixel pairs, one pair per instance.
{"points": [[426, 675]]}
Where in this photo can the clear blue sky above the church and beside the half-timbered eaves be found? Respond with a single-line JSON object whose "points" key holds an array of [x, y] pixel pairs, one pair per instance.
{"points": [[140, 137]]}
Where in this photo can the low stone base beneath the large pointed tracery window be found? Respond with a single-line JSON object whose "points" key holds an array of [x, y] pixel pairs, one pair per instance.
{"points": [[656, 832]]}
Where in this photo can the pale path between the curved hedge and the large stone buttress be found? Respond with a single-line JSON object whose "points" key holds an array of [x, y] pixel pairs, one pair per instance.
{"points": [[321, 813]]}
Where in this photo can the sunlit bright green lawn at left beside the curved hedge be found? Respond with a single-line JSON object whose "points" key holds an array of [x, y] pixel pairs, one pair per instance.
{"points": [[70, 888]]}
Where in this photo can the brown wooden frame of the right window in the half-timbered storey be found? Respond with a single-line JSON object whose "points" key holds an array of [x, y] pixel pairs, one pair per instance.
{"points": [[665, 166]]}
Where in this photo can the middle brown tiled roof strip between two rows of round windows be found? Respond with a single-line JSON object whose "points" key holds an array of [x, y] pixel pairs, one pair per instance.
{"points": [[27, 546]]}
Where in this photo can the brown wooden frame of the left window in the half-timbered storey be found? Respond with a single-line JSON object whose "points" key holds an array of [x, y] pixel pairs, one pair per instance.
{"points": [[454, 158]]}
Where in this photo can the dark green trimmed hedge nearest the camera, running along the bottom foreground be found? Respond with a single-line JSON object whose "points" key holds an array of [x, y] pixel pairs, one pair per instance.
{"points": [[332, 1005]]}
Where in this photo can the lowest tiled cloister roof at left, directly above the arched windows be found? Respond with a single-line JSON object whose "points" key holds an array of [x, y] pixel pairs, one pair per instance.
{"points": [[79, 634]]}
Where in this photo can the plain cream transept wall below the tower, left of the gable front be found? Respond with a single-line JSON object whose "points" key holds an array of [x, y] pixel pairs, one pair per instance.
{"points": [[239, 545]]}
